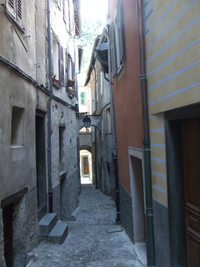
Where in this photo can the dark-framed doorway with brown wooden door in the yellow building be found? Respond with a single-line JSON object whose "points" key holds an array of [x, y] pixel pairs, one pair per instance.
{"points": [[183, 169]]}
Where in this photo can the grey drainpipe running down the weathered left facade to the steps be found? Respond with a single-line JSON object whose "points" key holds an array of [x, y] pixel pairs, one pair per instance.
{"points": [[50, 192]]}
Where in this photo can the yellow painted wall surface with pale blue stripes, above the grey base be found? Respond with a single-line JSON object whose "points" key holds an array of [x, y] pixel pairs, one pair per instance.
{"points": [[173, 73]]}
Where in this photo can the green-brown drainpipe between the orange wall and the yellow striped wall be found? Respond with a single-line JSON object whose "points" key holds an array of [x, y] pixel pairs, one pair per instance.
{"points": [[146, 141]]}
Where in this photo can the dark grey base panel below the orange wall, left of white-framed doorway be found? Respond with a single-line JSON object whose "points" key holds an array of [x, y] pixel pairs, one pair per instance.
{"points": [[126, 213]]}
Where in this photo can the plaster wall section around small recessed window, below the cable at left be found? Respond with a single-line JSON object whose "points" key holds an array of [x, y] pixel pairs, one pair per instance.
{"points": [[17, 167]]}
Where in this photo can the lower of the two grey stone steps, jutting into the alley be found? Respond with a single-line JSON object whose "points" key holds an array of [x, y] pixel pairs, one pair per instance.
{"points": [[59, 233]]}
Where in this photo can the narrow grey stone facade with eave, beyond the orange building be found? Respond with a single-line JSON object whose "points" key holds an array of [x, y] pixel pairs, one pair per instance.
{"points": [[102, 139]]}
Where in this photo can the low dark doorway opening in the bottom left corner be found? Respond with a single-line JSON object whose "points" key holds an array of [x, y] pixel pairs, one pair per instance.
{"points": [[8, 234]]}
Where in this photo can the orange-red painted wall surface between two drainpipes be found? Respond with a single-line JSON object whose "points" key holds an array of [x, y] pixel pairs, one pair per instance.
{"points": [[127, 92]]}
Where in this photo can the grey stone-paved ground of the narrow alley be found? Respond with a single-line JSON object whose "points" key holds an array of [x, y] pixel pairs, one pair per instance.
{"points": [[93, 240]]}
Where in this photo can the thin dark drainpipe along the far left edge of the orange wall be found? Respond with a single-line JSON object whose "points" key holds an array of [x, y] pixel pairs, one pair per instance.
{"points": [[115, 158]]}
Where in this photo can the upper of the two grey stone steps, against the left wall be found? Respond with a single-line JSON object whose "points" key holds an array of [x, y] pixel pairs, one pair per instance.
{"points": [[47, 223]]}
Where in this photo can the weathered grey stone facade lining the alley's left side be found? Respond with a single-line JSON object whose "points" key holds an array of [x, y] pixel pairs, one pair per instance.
{"points": [[25, 91]]}
